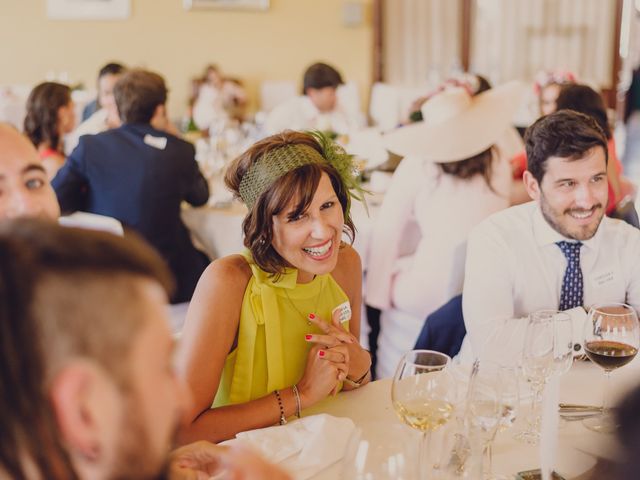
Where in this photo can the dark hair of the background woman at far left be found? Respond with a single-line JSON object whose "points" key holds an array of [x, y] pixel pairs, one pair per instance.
{"points": [[41, 121]]}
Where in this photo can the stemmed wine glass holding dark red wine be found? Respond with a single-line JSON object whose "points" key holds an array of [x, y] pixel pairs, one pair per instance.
{"points": [[611, 340]]}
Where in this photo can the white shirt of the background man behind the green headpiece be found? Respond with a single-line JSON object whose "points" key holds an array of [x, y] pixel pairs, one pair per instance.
{"points": [[299, 113]]}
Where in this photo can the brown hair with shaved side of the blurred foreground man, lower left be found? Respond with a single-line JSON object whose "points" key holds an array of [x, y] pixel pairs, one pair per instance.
{"points": [[64, 293]]}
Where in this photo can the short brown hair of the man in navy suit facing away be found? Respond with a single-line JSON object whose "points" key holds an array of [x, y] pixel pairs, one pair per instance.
{"points": [[137, 94]]}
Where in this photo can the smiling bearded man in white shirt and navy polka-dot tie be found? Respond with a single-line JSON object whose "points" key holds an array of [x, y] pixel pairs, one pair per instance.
{"points": [[557, 252]]}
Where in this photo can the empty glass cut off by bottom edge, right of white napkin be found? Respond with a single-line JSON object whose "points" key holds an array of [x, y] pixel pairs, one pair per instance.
{"points": [[382, 451]]}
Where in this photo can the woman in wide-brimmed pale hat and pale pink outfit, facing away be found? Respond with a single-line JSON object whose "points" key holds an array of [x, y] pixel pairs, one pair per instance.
{"points": [[452, 177]]}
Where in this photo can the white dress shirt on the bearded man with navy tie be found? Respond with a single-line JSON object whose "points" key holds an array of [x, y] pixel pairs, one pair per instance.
{"points": [[514, 268]]}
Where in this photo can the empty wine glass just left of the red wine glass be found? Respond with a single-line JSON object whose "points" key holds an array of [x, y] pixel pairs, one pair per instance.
{"points": [[547, 351]]}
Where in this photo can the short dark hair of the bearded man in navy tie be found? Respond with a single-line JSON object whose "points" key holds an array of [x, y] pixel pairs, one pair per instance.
{"points": [[564, 133]]}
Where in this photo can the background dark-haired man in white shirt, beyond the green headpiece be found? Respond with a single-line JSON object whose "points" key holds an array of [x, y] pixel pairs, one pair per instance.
{"points": [[318, 108]]}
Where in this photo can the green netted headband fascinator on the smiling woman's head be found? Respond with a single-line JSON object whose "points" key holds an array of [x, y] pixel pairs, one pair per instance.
{"points": [[280, 161]]}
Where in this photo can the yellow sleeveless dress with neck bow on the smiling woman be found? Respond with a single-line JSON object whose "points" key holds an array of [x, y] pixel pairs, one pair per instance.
{"points": [[272, 351]]}
